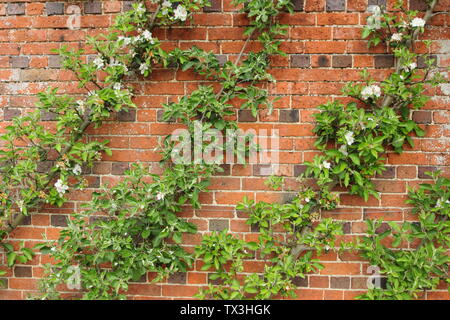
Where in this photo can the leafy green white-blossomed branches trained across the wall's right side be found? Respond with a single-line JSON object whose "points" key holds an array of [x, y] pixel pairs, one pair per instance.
{"points": [[353, 138]]}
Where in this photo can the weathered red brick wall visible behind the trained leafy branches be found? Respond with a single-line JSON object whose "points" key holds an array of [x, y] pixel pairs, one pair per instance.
{"points": [[325, 52]]}
